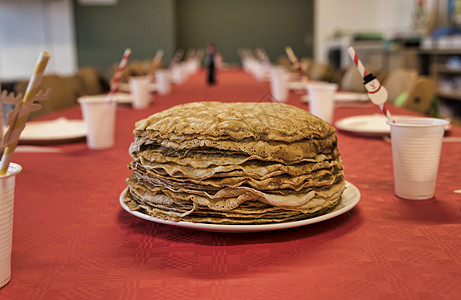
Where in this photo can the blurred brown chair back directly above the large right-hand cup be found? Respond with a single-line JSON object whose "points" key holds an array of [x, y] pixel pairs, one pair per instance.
{"points": [[421, 96]]}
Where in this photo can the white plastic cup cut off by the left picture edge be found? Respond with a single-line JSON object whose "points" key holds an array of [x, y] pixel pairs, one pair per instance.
{"points": [[7, 183]]}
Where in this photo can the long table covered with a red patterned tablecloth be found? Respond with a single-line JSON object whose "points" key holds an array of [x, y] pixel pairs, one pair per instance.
{"points": [[73, 240]]}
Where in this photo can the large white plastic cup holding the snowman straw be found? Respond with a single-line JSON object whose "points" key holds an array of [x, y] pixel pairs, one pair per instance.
{"points": [[416, 147]]}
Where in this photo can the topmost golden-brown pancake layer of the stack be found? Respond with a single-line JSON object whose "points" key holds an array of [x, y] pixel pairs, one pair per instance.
{"points": [[266, 121]]}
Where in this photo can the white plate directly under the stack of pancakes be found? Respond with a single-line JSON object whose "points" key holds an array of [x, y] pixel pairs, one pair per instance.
{"points": [[350, 198]]}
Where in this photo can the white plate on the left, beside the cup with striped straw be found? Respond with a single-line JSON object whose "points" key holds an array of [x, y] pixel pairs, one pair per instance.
{"points": [[58, 130]]}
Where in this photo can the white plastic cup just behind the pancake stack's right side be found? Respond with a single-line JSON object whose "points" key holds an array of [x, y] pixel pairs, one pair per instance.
{"points": [[321, 99]]}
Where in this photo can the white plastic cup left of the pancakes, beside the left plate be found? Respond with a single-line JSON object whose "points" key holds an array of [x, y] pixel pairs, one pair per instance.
{"points": [[99, 117]]}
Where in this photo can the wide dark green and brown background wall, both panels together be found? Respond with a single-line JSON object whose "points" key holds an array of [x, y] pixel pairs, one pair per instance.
{"points": [[103, 32]]}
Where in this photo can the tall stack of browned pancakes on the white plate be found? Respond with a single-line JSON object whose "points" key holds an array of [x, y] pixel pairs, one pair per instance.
{"points": [[234, 163]]}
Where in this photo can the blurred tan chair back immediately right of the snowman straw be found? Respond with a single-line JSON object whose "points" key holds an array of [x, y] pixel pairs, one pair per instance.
{"points": [[399, 81]]}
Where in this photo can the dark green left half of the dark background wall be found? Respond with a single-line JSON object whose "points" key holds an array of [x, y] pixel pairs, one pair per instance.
{"points": [[104, 32]]}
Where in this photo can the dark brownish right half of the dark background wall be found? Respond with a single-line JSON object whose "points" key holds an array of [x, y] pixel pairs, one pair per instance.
{"points": [[232, 24]]}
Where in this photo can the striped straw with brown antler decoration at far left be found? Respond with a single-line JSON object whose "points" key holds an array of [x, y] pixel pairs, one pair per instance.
{"points": [[19, 122]]}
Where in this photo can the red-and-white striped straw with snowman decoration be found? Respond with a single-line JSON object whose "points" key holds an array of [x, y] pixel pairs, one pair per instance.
{"points": [[376, 92]]}
